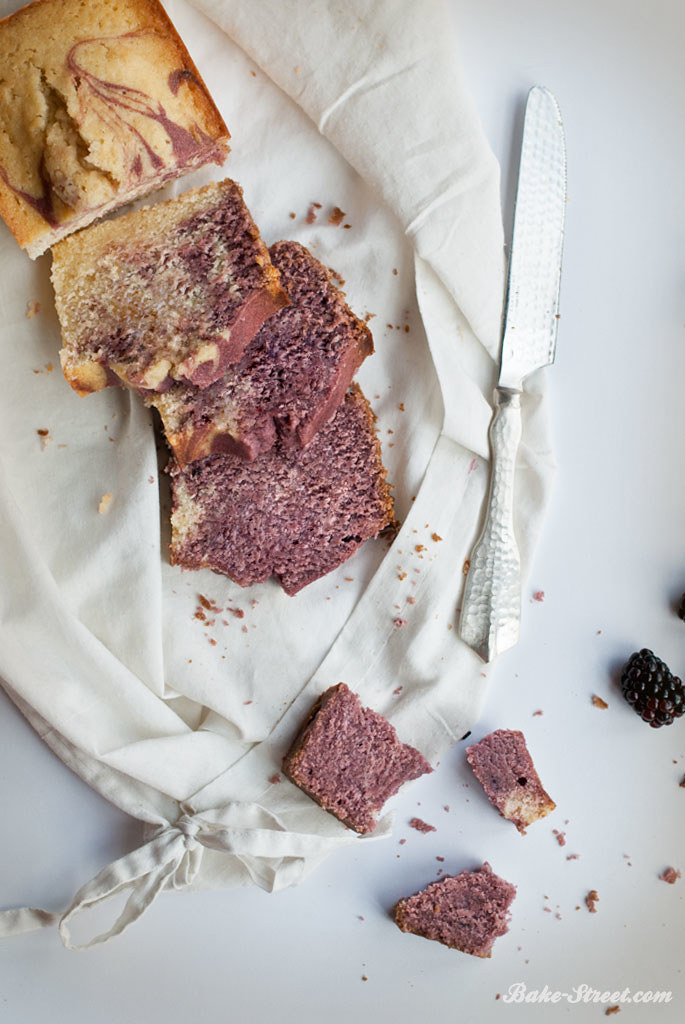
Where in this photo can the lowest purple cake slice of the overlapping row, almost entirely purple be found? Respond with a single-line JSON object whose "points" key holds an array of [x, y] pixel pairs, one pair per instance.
{"points": [[293, 514]]}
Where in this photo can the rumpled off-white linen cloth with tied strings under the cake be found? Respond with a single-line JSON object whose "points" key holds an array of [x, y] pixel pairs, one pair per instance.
{"points": [[183, 720]]}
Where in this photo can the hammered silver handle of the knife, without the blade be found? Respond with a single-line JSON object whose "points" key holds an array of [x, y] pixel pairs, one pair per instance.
{"points": [[492, 605]]}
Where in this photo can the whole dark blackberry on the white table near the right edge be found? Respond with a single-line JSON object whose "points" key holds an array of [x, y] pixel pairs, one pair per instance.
{"points": [[652, 690]]}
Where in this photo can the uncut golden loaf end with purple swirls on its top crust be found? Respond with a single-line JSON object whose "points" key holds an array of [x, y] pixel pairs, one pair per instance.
{"points": [[100, 105]]}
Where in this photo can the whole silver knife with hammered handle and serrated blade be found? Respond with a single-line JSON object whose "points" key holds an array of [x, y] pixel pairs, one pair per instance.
{"points": [[492, 606]]}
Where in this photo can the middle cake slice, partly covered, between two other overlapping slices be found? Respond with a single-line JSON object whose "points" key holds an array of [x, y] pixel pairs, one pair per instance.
{"points": [[291, 380]]}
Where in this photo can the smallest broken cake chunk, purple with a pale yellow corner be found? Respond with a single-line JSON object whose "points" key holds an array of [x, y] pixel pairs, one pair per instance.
{"points": [[504, 767]]}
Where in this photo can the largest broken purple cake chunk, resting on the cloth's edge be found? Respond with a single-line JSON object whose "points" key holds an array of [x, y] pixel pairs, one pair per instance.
{"points": [[350, 760]]}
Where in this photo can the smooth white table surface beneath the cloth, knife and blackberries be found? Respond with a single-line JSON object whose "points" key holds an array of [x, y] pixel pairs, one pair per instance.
{"points": [[612, 565]]}
